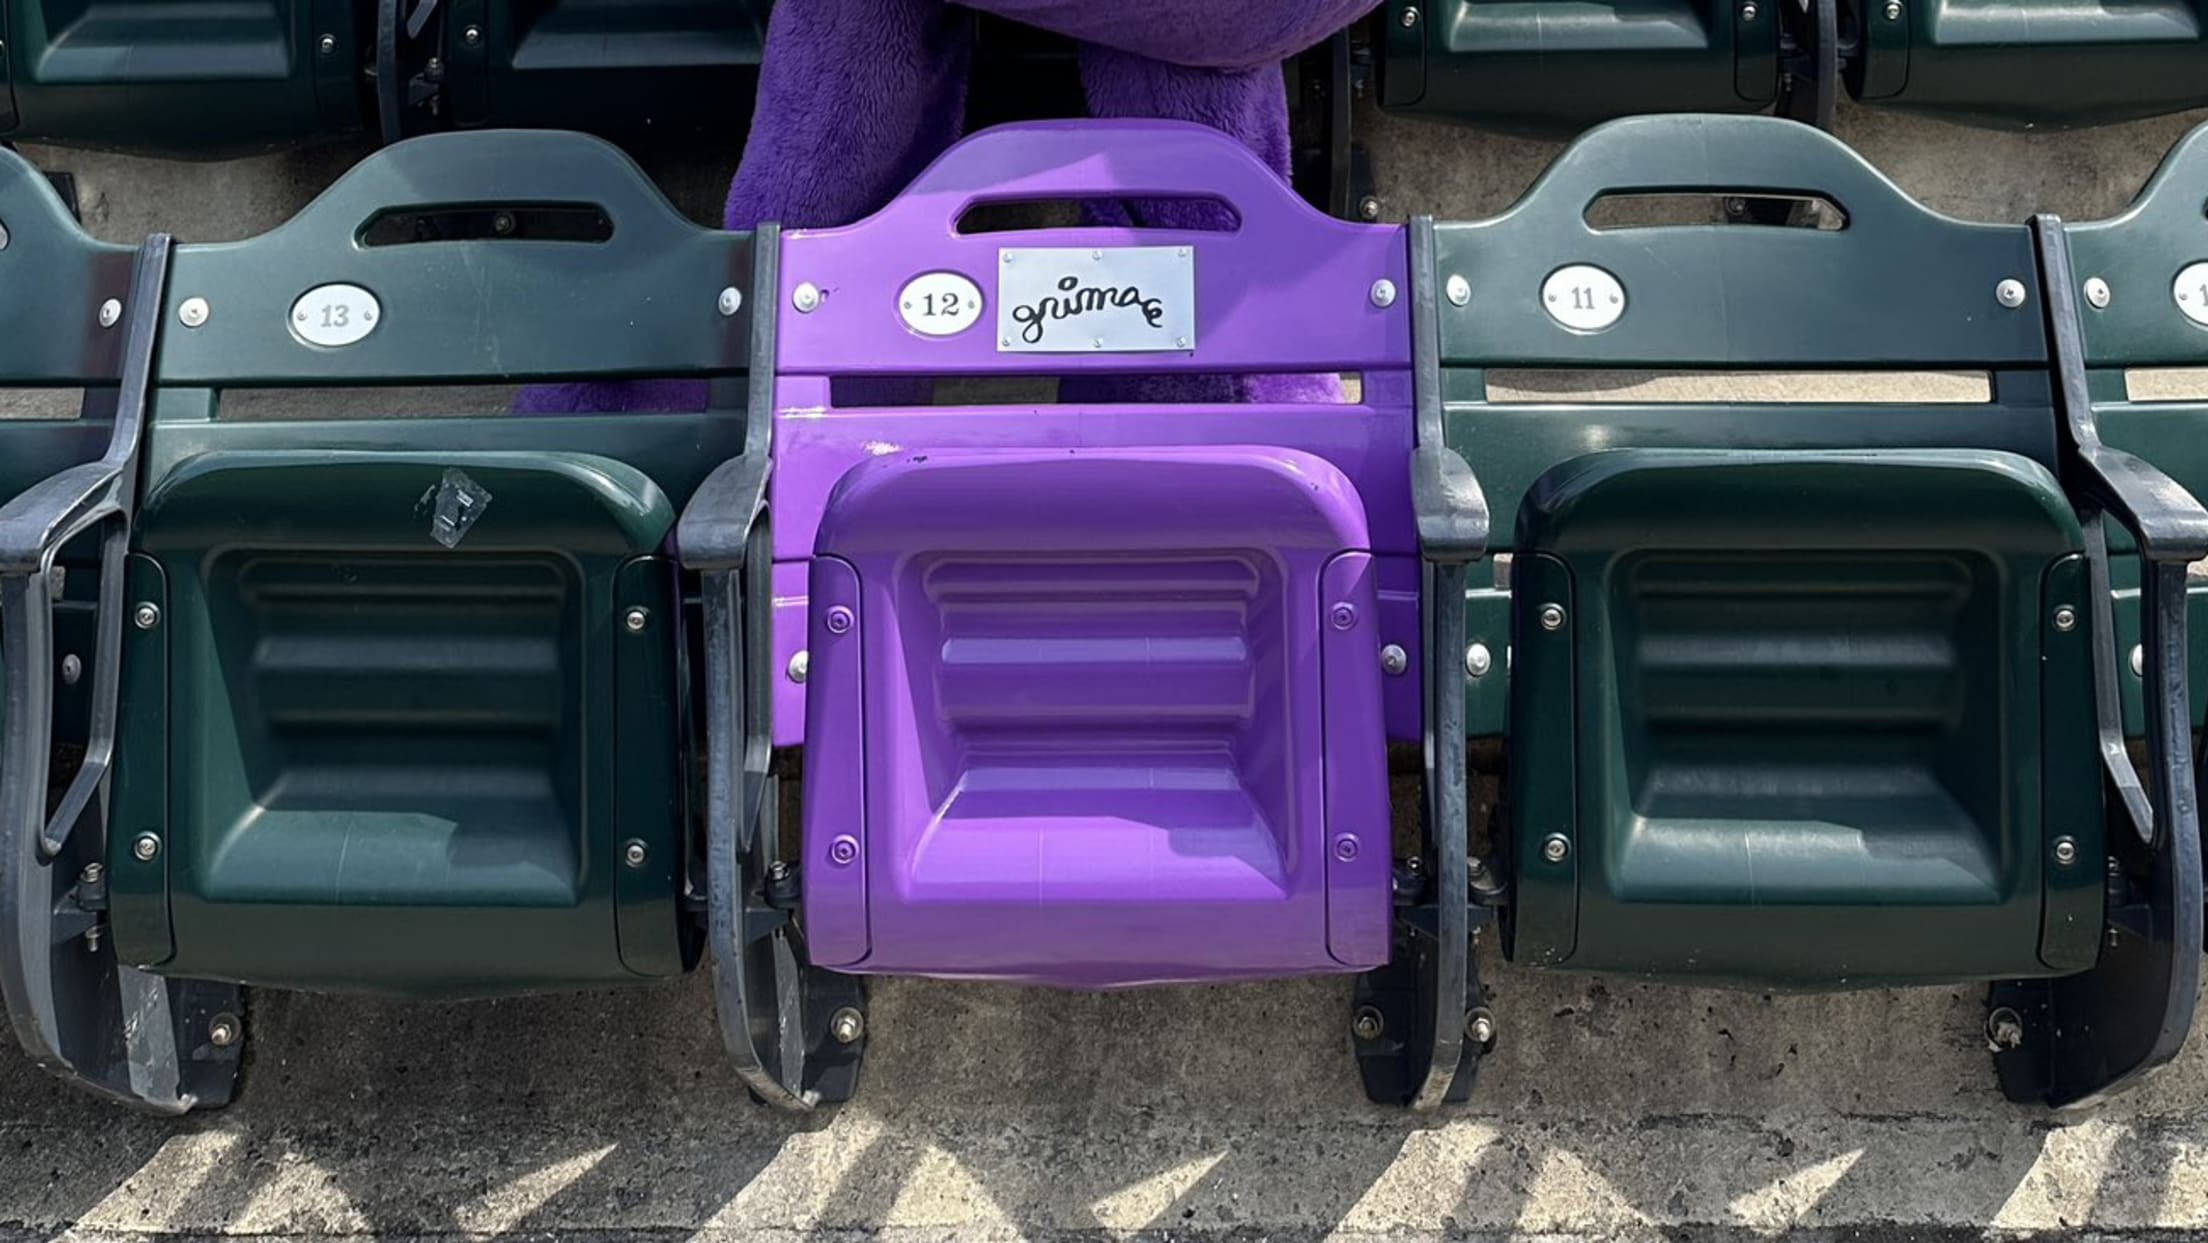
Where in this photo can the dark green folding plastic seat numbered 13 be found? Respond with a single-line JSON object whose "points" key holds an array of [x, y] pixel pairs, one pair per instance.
{"points": [[416, 710]]}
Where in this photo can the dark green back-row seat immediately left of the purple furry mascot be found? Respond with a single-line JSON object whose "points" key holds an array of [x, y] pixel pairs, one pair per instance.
{"points": [[664, 72]]}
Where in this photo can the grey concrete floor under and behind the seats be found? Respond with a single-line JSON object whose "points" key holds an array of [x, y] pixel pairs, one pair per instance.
{"points": [[1611, 1109]]}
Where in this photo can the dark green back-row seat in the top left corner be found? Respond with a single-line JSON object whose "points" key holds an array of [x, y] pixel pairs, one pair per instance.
{"points": [[171, 76]]}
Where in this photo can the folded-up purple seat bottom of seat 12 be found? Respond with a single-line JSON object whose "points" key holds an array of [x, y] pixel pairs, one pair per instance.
{"points": [[1101, 741]]}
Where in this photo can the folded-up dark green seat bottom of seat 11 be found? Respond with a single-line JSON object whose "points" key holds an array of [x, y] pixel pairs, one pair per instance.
{"points": [[1796, 763]]}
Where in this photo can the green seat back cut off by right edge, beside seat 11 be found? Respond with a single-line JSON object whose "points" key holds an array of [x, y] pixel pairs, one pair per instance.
{"points": [[2145, 262]]}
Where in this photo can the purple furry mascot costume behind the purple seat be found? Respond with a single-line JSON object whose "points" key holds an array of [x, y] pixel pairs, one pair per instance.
{"points": [[858, 96]]}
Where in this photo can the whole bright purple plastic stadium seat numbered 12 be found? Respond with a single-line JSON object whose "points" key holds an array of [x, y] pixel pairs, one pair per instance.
{"points": [[1094, 694]]}
